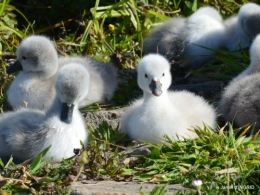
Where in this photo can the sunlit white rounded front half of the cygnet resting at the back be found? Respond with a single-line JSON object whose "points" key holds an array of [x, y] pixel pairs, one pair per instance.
{"points": [[204, 28]]}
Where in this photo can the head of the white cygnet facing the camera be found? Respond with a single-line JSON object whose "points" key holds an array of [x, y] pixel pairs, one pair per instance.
{"points": [[154, 74]]}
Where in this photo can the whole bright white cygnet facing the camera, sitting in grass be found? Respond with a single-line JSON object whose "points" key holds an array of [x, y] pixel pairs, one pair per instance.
{"points": [[161, 112]]}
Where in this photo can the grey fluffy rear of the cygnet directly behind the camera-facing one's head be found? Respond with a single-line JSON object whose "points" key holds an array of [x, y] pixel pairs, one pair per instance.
{"points": [[164, 39]]}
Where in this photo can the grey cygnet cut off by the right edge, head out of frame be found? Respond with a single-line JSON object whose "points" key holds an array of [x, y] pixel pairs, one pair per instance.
{"points": [[240, 102]]}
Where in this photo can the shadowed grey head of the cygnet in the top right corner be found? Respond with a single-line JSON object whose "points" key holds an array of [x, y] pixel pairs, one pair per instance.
{"points": [[249, 19]]}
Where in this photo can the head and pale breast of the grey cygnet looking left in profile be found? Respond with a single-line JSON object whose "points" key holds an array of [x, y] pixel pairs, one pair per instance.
{"points": [[37, 59]]}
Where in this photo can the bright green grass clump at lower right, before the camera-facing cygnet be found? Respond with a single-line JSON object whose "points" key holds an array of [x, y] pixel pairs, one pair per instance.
{"points": [[218, 159]]}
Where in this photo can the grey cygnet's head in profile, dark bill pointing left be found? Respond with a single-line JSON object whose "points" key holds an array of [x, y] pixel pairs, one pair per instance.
{"points": [[36, 54]]}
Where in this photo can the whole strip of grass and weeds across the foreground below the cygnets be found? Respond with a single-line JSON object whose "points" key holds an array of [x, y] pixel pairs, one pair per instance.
{"points": [[223, 160]]}
